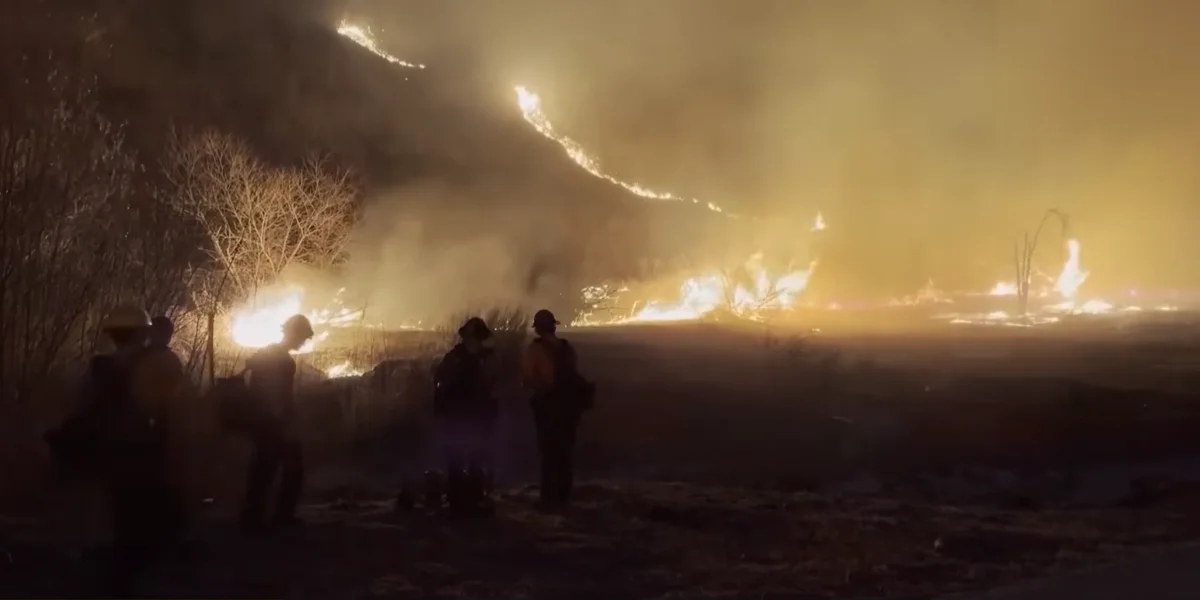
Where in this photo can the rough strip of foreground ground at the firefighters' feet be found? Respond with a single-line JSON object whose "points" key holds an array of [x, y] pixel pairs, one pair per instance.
{"points": [[645, 541]]}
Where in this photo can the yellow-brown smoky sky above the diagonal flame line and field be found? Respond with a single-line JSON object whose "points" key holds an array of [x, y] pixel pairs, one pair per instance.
{"points": [[932, 134]]}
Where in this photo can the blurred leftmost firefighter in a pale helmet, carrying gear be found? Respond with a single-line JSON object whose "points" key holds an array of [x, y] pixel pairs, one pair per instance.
{"points": [[124, 434]]}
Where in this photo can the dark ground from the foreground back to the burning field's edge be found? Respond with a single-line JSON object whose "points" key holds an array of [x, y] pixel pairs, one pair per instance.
{"points": [[731, 461]]}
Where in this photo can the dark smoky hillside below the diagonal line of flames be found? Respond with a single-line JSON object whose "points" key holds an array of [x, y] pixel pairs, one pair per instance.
{"points": [[291, 86]]}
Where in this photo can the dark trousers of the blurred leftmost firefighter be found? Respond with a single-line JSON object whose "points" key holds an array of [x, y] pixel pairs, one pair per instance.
{"points": [[147, 519]]}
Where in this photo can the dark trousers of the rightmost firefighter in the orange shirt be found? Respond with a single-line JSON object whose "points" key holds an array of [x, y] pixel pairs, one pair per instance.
{"points": [[557, 429]]}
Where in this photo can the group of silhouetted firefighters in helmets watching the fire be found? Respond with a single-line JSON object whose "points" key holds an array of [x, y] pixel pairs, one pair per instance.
{"points": [[130, 425]]}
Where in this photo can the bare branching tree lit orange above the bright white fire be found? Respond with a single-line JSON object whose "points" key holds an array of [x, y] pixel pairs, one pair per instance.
{"points": [[260, 219]]}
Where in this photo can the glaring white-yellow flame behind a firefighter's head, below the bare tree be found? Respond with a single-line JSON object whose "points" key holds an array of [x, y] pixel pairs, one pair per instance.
{"points": [[260, 323]]}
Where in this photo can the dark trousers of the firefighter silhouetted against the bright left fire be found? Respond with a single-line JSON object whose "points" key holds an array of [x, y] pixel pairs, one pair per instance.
{"points": [[274, 455]]}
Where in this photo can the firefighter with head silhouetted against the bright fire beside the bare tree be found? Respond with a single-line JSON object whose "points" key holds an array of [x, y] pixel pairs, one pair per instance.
{"points": [[272, 382]]}
